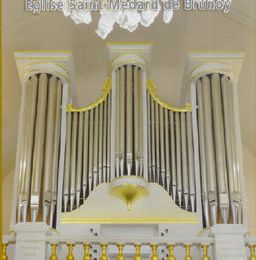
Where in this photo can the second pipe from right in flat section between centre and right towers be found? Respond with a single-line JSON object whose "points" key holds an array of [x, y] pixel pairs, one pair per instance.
{"points": [[184, 159]]}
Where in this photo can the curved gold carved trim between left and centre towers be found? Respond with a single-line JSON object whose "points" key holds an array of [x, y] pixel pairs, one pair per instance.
{"points": [[105, 91]]}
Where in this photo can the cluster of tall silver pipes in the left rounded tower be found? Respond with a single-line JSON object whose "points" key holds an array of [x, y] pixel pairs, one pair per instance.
{"points": [[39, 148]]}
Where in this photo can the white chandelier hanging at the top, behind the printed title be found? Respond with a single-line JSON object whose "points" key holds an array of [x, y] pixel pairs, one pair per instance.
{"points": [[128, 14]]}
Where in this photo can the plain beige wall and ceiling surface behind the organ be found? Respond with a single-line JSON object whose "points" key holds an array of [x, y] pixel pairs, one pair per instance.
{"points": [[189, 31]]}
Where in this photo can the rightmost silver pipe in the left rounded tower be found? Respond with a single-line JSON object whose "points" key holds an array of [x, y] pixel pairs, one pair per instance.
{"points": [[56, 148]]}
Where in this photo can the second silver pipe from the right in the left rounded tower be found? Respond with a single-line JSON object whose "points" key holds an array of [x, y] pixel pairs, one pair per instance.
{"points": [[49, 141]]}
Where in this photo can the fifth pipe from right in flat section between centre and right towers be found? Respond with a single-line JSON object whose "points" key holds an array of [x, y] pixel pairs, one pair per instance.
{"points": [[167, 151]]}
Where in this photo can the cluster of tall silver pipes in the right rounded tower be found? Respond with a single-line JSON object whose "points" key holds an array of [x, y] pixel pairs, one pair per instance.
{"points": [[219, 167]]}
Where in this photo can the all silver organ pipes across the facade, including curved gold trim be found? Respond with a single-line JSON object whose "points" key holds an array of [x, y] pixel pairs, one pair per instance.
{"points": [[128, 131]]}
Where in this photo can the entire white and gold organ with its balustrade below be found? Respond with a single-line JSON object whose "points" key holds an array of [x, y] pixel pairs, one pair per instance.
{"points": [[129, 176]]}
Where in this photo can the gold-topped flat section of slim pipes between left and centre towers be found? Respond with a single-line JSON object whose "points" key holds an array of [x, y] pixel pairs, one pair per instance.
{"points": [[87, 151]]}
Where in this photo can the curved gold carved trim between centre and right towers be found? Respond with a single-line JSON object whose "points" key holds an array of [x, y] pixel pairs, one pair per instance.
{"points": [[152, 91]]}
